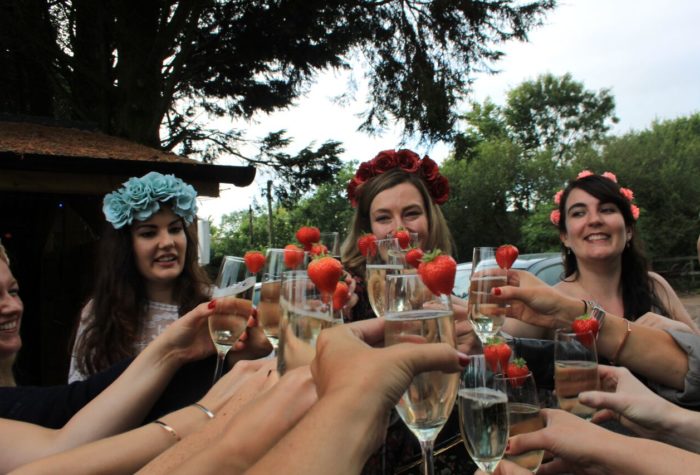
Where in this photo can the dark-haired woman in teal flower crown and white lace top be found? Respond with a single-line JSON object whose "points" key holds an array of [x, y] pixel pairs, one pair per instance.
{"points": [[147, 272]]}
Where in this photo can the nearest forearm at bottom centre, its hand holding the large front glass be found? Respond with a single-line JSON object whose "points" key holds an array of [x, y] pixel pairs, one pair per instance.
{"points": [[331, 438]]}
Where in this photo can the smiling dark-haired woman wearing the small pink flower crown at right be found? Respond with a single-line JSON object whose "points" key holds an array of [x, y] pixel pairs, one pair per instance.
{"points": [[604, 265]]}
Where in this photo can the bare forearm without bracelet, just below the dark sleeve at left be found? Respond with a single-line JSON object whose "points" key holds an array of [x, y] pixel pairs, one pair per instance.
{"points": [[123, 404]]}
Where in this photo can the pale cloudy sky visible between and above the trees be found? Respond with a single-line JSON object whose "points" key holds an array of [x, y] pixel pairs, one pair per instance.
{"points": [[646, 52]]}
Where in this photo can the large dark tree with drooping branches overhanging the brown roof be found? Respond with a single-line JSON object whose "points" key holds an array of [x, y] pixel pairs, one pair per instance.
{"points": [[142, 69]]}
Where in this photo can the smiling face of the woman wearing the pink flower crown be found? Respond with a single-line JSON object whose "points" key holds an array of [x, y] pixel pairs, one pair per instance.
{"points": [[594, 230]]}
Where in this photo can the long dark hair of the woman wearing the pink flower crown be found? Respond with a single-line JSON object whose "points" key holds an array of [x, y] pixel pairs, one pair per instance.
{"points": [[638, 295]]}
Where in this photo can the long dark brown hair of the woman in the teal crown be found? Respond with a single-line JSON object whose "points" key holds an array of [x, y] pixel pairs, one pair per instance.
{"points": [[119, 300]]}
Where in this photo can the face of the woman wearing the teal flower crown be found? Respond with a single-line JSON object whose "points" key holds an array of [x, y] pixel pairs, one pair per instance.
{"points": [[160, 246]]}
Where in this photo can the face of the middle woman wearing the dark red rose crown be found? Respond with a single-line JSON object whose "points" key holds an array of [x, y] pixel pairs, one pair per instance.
{"points": [[399, 206]]}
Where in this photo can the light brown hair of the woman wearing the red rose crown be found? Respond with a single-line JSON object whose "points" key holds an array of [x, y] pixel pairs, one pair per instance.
{"points": [[439, 235]]}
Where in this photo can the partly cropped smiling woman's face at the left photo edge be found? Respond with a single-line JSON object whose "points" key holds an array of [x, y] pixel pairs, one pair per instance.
{"points": [[11, 309]]}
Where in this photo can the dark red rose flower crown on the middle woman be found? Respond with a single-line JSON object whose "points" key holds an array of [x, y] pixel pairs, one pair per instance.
{"points": [[438, 186]]}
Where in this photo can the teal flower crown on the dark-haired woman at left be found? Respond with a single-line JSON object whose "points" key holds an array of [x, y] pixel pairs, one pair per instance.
{"points": [[140, 198]]}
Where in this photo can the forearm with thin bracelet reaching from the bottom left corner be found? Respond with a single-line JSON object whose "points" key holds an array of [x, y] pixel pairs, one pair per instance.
{"points": [[124, 453]]}
